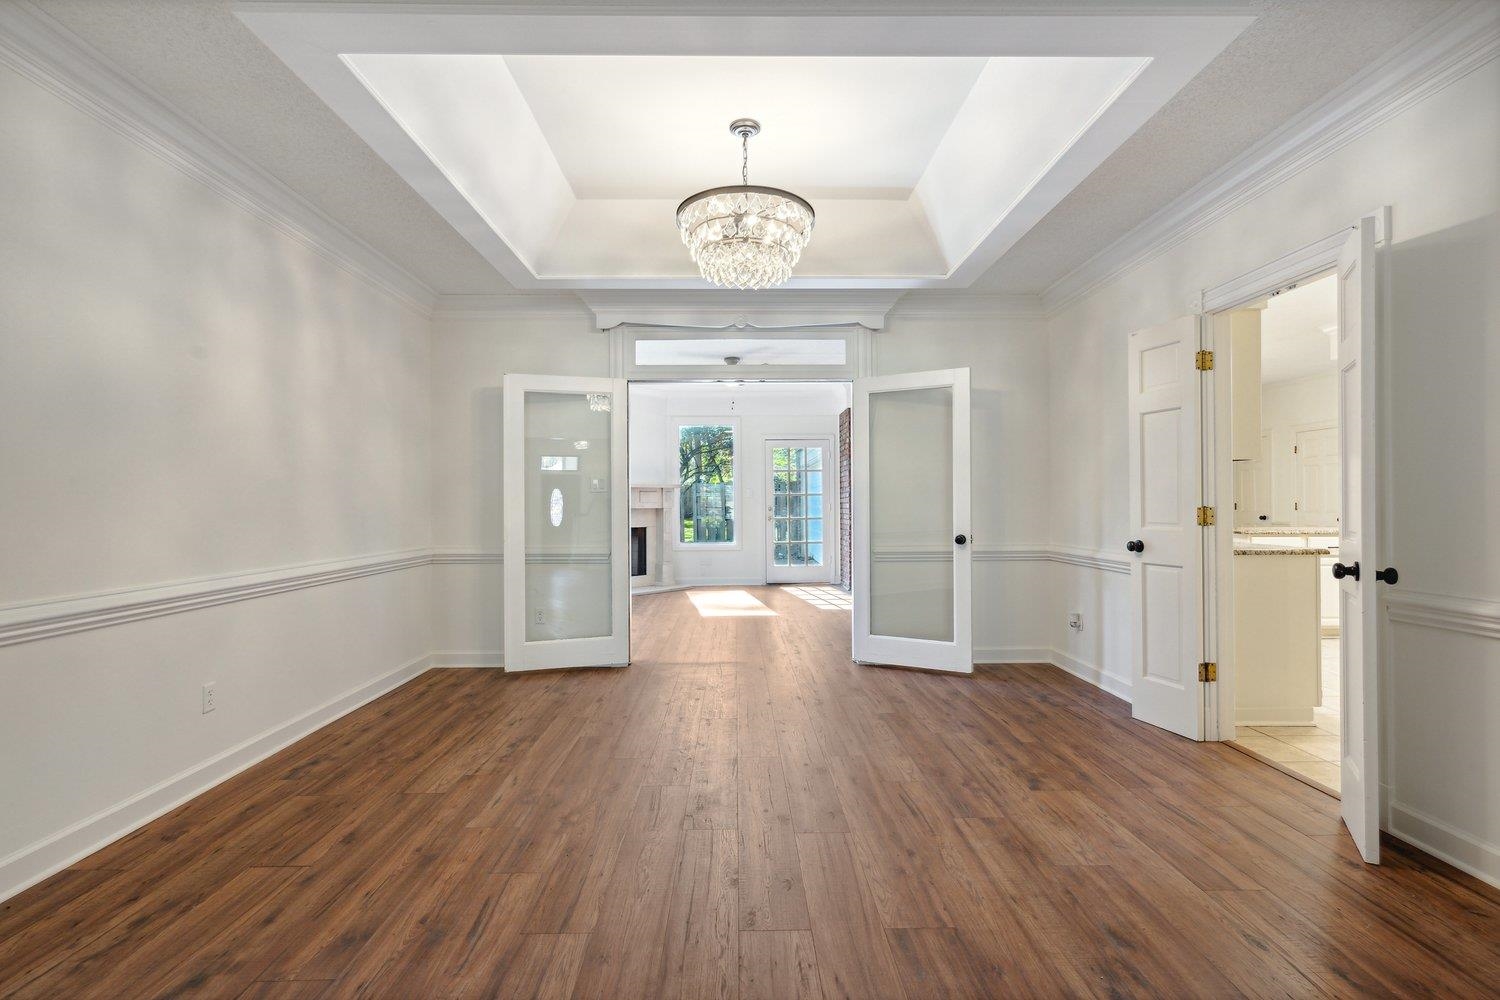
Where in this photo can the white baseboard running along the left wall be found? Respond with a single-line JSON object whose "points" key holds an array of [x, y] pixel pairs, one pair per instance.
{"points": [[44, 858]]}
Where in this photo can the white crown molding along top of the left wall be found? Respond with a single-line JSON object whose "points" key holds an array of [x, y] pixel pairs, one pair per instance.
{"points": [[46, 53]]}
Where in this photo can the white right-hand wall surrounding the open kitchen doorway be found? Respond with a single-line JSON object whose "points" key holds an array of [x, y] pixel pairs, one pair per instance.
{"points": [[1438, 164]]}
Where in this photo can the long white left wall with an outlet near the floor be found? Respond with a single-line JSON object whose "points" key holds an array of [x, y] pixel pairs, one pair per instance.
{"points": [[185, 394]]}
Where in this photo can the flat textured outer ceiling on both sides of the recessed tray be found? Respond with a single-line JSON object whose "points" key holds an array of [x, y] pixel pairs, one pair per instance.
{"points": [[206, 64]]}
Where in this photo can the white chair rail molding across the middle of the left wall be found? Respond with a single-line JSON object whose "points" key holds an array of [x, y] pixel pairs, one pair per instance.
{"points": [[65, 617]]}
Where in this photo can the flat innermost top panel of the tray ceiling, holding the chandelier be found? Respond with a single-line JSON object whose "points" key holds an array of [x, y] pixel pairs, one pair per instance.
{"points": [[658, 127]]}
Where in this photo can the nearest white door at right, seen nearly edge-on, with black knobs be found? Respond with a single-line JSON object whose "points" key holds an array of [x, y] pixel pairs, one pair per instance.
{"points": [[1358, 542]]}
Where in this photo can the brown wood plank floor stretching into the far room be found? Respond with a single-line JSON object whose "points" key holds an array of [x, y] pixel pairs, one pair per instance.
{"points": [[746, 813]]}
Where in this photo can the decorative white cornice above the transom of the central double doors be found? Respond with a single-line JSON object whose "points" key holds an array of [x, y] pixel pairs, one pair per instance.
{"points": [[734, 310]]}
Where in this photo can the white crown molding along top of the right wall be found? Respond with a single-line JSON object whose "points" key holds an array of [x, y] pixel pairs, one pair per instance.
{"points": [[1454, 46]]}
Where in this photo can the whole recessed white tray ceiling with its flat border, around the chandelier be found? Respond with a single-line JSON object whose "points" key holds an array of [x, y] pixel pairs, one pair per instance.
{"points": [[560, 145]]}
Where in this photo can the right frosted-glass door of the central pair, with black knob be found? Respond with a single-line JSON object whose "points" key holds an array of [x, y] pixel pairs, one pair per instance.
{"points": [[913, 569]]}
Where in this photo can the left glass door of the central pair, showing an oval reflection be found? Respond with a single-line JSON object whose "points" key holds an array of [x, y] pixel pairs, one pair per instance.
{"points": [[568, 522]]}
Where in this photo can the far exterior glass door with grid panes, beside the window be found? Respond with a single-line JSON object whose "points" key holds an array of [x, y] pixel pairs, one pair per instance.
{"points": [[800, 512]]}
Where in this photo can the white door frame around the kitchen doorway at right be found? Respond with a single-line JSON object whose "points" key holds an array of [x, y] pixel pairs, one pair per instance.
{"points": [[1307, 263]]}
